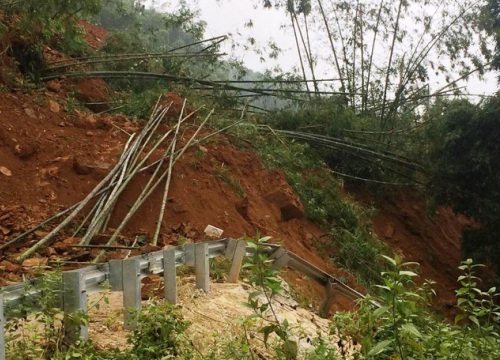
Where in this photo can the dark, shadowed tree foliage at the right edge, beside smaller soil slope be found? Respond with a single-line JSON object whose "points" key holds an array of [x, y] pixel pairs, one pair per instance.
{"points": [[467, 171]]}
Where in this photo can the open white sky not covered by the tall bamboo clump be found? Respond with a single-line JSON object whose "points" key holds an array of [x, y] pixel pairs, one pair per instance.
{"points": [[229, 17]]}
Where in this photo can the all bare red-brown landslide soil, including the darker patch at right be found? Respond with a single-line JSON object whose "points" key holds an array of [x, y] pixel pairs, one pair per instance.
{"points": [[54, 151]]}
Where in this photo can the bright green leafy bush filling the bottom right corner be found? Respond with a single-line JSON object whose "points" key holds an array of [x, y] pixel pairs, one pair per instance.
{"points": [[402, 326]]}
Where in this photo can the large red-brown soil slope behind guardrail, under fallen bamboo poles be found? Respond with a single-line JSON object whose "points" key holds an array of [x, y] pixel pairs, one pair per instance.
{"points": [[51, 156]]}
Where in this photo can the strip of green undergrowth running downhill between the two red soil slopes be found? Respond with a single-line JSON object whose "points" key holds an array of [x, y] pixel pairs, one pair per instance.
{"points": [[352, 243]]}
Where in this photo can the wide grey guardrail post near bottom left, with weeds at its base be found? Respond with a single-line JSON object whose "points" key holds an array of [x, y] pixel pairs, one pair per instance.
{"points": [[74, 300]]}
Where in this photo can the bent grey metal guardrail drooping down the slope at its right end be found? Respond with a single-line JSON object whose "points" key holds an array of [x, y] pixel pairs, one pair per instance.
{"points": [[125, 275]]}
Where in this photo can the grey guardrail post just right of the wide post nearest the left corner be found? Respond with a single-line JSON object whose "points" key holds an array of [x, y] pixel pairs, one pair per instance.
{"points": [[131, 292]]}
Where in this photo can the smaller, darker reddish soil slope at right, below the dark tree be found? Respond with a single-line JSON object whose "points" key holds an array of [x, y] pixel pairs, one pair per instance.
{"points": [[434, 242]]}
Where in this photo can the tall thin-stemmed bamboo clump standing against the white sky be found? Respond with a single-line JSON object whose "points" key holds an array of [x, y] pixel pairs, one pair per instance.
{"points": [[387, 55]]}
